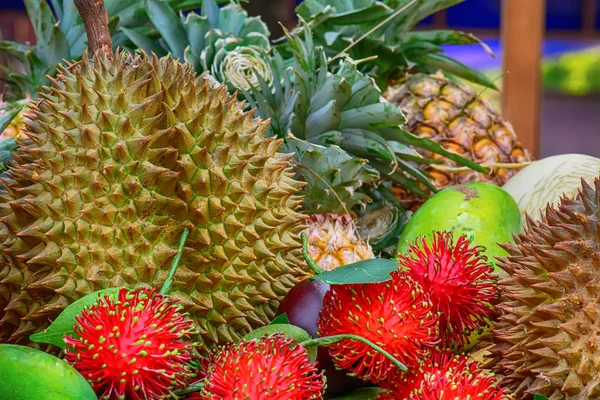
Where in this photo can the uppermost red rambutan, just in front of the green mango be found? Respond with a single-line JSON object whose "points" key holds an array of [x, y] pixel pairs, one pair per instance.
{"points": [[460, 282]]}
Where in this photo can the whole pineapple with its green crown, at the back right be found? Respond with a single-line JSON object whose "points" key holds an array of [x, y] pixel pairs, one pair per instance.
{"points": [[436, 107]]}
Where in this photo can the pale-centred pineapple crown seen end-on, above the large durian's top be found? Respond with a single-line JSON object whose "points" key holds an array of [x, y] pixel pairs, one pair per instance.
{"points": [[222, 40]]}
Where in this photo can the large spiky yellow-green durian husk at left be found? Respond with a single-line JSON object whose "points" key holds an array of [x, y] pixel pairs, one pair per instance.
{"points": [[123, 155]]}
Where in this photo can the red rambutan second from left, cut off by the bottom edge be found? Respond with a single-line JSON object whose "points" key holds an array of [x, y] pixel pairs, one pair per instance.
{"points": [[270, 368]]}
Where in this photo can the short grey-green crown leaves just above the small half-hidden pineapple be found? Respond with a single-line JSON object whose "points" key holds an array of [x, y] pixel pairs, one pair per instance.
{"points": [[334, 178]]}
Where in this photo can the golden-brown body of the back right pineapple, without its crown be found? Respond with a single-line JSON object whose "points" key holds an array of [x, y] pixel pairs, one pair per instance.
{"points": [[459, 120]]}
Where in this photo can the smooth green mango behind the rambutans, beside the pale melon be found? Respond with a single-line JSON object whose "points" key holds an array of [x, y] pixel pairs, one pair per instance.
{"points": [[478, 209]]}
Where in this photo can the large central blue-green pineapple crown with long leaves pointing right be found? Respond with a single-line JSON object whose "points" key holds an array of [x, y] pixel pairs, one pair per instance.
{"points": [[343, 108]]}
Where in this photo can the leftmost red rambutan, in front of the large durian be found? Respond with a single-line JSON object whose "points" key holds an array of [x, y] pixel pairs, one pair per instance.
{"points": [[133, 346]]}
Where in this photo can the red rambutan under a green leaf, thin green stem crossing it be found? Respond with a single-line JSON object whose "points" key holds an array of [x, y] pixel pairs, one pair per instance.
{"points": [[397, 315]]}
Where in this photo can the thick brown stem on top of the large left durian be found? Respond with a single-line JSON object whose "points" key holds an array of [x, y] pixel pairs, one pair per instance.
{"points": [[95, 21]]}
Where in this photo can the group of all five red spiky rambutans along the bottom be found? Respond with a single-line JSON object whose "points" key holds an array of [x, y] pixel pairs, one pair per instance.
{"points": [[137, 345]]}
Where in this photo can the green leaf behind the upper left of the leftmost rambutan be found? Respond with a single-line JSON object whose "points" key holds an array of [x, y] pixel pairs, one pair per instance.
{"points": [[64, 324]]}
